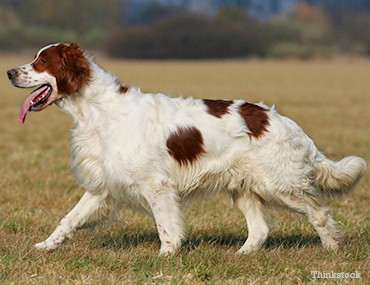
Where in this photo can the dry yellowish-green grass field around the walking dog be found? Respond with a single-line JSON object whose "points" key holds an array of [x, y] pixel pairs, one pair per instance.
{"points": [[329, 99]]}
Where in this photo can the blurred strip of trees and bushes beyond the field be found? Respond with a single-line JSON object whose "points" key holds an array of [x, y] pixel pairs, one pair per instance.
{"points": [[191, 28]]}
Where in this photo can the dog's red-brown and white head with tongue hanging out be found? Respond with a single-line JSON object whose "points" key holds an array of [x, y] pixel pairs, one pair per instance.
{"points": [[58, 70]]}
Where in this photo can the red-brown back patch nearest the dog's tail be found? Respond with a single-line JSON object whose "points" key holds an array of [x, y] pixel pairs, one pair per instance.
{"points": [[255, 118]]}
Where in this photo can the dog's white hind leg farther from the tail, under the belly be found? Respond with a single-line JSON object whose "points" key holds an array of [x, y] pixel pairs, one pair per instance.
{"points": [[257, 218]]}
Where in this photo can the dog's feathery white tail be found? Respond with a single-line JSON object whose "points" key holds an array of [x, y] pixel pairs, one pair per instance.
{"points": [[335, 178]]}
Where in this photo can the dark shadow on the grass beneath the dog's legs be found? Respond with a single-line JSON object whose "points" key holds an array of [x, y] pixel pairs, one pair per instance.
{"points": [[132, 240]]}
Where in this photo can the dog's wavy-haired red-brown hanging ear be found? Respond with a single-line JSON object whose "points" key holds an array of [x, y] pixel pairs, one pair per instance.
{"points": [[74, 69]]}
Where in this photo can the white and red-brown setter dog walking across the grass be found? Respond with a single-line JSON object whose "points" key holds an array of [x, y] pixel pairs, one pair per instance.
{"points": [[152, 152]]}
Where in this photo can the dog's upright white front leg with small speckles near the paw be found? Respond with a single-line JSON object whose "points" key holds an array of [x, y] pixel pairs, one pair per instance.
{"points": [[165, 206]]}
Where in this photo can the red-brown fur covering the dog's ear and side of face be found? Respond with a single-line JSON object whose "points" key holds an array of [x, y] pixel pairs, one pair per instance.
{"points": [[67, 63]]}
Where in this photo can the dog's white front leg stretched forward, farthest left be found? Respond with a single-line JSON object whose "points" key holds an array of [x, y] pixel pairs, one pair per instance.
{"points": [[84, 209]]}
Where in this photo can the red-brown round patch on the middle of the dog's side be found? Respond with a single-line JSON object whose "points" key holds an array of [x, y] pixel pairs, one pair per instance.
{"points": [[185, 145]]}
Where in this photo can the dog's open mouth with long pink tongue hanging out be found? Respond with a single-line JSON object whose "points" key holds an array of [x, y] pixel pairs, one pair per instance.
{"points": [[36, 101]]}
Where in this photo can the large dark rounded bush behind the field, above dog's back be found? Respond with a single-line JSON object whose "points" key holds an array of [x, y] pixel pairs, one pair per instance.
{"points": [[190, 36]]}
